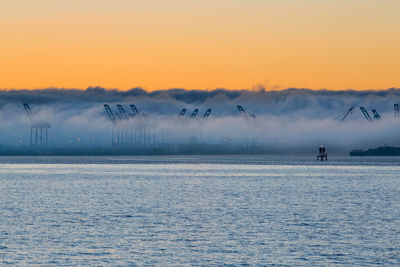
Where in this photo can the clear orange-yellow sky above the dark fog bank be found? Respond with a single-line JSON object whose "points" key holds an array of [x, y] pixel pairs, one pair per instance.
{"points": [[200, 44]]}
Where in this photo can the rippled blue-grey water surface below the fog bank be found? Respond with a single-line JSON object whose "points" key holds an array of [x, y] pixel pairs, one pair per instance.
{"points": [[199, 211]]}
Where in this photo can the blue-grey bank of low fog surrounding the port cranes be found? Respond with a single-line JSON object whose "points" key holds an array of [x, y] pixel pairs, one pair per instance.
{"points": [[294, 119]]}
